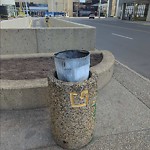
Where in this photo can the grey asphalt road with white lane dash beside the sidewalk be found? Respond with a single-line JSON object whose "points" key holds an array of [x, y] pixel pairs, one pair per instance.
{"points": [[128, 41]]}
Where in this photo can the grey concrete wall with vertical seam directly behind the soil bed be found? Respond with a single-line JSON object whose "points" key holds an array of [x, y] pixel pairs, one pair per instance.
{"points": [[45, 40]]}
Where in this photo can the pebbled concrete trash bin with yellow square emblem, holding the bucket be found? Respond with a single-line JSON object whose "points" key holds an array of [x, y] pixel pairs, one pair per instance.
{"points": [[72, 107]]}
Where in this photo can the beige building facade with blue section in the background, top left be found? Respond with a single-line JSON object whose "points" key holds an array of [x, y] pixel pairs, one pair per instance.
{"points": [[38, 7]]}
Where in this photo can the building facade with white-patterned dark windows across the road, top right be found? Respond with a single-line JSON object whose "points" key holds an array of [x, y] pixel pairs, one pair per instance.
{"points": [[127, 9]]}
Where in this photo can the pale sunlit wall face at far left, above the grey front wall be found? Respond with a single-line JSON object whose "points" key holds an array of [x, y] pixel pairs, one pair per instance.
{"points": [[16, 23]]}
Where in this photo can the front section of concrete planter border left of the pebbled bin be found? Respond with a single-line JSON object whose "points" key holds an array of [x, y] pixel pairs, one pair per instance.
{"points": [[23, 94]]}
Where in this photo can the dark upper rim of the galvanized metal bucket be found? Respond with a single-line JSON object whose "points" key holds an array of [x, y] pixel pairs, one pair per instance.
{"points": [[83, 51]]}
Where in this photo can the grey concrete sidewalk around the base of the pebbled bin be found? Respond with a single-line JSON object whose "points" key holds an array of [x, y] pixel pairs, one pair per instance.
{"points": [[122, 121]]}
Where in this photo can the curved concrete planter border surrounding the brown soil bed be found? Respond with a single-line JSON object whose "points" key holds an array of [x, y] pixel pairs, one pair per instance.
{"points": [[27, 94]]}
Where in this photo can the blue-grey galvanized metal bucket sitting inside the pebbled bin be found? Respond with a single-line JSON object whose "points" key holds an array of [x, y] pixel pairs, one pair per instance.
{"points": [[72, 65]]}
